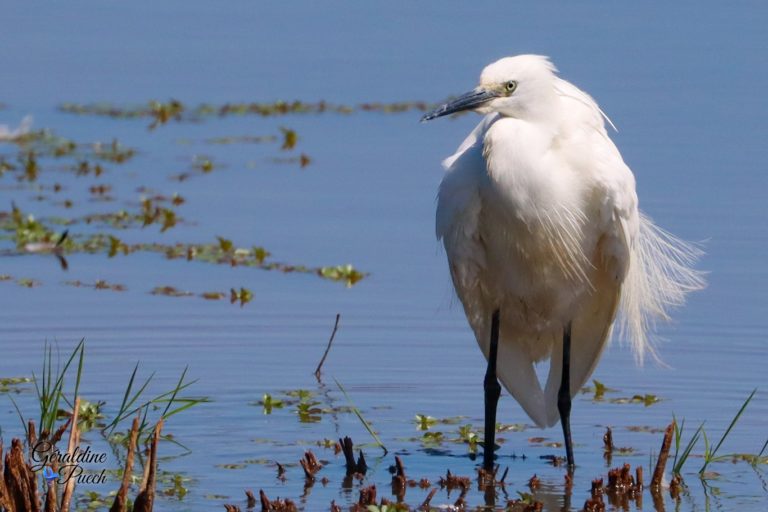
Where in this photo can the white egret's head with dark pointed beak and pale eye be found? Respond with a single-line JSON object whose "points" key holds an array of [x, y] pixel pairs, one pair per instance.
{"points": [[520, 86]]}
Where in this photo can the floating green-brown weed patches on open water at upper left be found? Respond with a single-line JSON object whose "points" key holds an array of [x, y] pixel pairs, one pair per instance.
{"points": [[42, 154]]}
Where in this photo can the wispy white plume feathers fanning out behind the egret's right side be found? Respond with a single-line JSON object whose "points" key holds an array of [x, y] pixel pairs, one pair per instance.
{"points": [[660, 275]]}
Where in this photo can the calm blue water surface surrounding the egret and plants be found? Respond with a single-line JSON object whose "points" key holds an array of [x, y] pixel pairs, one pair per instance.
{"points": [[685, 84]]}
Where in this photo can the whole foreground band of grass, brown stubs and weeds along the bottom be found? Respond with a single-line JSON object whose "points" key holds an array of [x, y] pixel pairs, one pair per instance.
{"points": [[64, 408]]}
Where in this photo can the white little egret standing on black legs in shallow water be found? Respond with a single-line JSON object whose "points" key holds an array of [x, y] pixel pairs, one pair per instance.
{"points": [[539, 217]]}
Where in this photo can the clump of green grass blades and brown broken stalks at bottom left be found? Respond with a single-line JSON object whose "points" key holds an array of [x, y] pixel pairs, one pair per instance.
{"points": [[37, 466]]}
